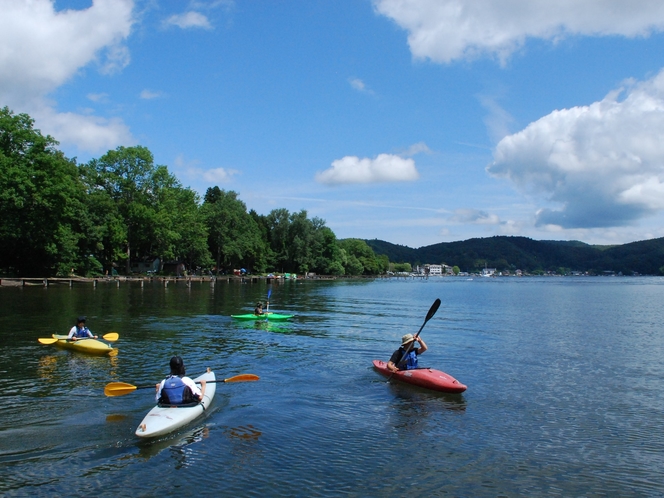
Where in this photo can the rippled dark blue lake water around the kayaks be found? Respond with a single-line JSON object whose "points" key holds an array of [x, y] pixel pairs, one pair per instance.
{"points": [[565, 390]]}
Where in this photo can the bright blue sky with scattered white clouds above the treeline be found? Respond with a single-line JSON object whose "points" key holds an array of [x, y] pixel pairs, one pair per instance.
{"points": [[410, 121]]}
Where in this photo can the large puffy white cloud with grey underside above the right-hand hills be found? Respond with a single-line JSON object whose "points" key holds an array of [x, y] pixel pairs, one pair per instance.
{"points": [[602, 164]]}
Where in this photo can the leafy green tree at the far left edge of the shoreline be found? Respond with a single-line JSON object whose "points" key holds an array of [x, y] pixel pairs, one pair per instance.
{"points": [[41, 201]]}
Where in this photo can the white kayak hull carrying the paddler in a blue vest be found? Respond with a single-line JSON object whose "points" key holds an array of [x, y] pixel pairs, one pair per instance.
{"points": [[164, 419]]}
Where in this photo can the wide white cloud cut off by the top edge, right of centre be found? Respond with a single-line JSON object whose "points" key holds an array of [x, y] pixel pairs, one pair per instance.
{"points": [[446, 30]]}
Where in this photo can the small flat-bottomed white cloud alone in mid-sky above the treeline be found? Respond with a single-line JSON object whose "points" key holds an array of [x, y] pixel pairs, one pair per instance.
{"points": [[384, 168]]}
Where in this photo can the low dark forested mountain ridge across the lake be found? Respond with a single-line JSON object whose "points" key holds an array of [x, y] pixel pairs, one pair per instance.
{"points": [[522, 253]]}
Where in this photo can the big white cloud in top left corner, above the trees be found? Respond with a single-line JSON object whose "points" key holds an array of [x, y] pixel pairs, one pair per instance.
{"points": [[41, 49]]}
